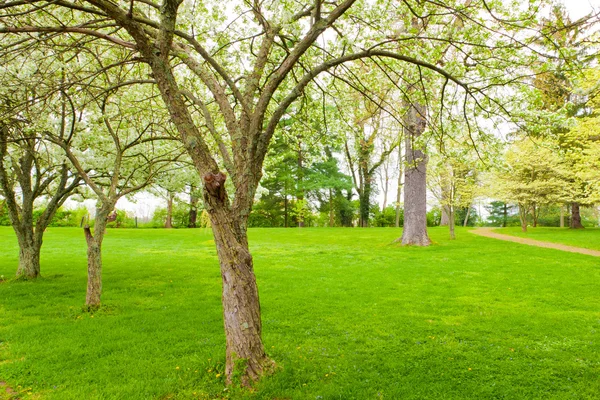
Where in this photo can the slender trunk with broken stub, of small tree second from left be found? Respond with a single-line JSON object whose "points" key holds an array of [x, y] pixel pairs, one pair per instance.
{"points": [[94, 256]]}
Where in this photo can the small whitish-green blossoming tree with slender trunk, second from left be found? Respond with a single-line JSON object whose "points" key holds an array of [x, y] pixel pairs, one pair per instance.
{"points": [[117, 150]]}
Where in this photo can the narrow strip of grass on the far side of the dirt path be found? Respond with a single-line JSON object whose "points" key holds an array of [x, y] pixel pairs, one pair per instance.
{"points": [[588, 238]]}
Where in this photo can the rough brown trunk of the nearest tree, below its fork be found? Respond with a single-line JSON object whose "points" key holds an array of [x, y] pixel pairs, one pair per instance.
{"points": [[245, 355]]}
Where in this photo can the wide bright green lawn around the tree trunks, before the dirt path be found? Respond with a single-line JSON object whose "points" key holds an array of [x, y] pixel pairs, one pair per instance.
{"points": [[347, 315]]}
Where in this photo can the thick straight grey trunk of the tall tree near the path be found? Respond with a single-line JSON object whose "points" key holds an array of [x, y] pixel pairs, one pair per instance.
{"points": [[415, 183]]}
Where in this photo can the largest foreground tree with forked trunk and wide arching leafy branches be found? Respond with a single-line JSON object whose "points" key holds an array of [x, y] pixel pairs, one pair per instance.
{"points": [[242, 95]]}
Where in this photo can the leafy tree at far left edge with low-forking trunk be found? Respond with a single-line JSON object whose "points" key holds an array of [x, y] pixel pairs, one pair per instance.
{"points": [[31, 169]]}
